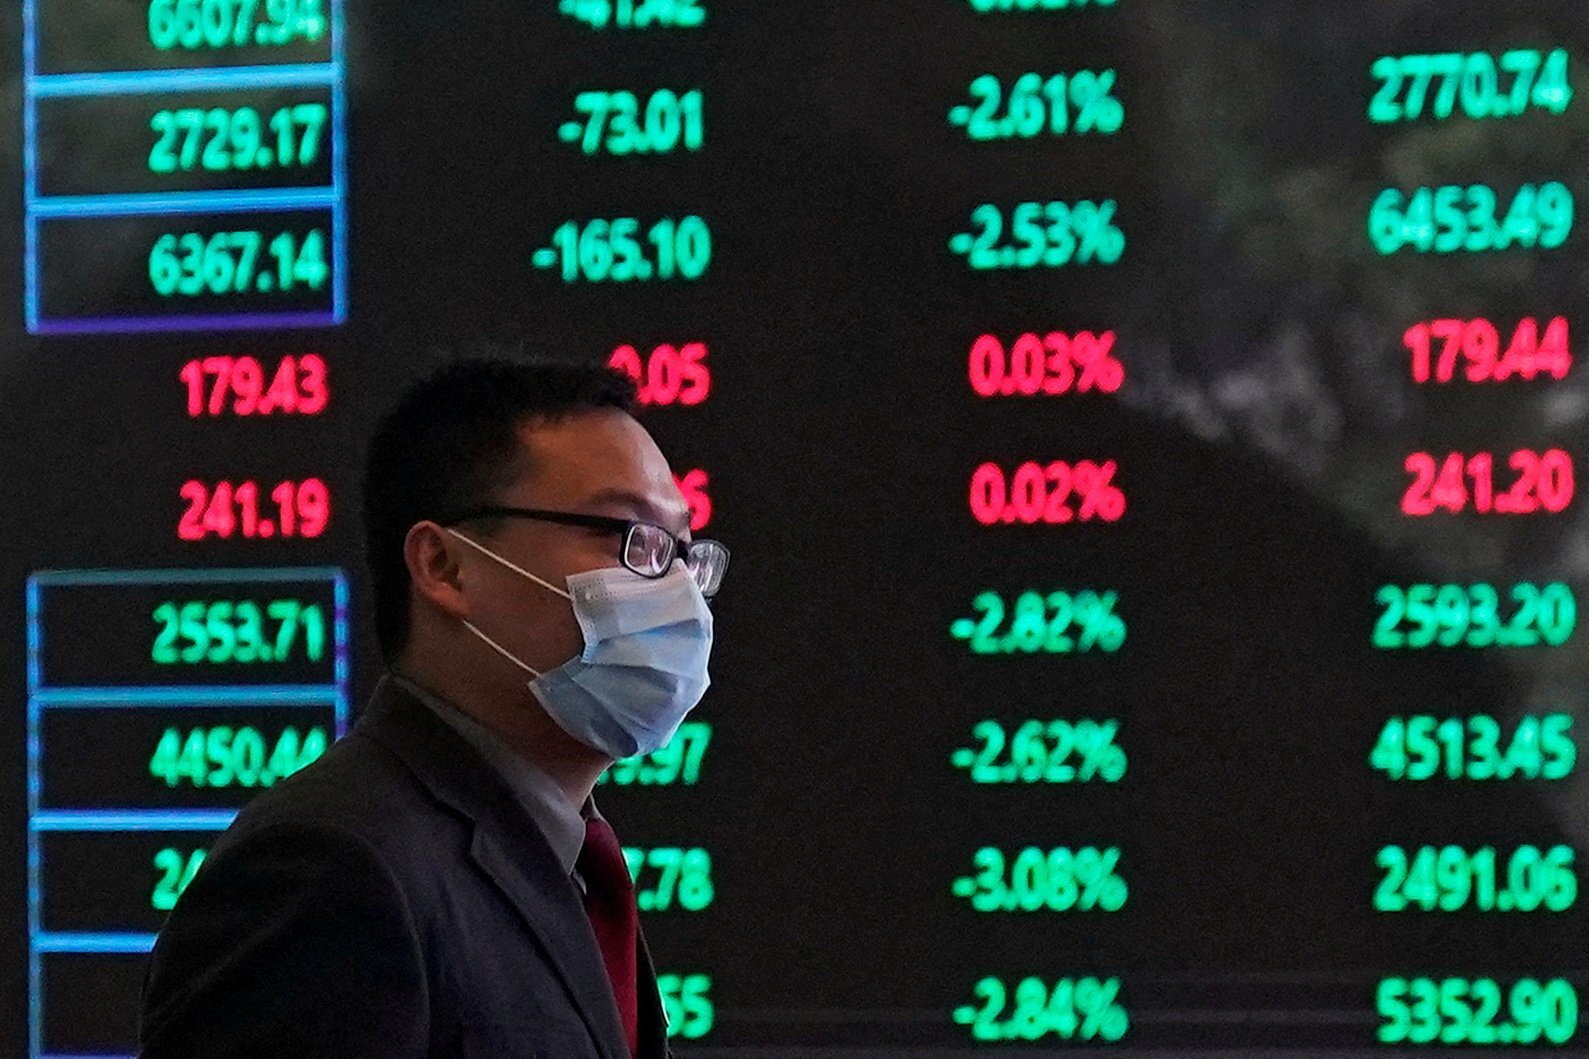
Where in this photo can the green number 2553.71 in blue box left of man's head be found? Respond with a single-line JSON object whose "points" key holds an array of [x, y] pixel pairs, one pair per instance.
{"points": [[238, 634]]}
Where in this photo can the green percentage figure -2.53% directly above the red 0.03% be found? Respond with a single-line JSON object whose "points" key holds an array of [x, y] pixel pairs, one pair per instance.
{"points": [[1042, 235]]}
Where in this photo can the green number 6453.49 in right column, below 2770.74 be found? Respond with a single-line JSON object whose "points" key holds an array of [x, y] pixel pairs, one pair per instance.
{"points": [[1469, 219]]}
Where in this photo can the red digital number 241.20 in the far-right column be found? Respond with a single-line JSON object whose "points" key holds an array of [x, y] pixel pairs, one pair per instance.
{"points": [[1541, 483]]}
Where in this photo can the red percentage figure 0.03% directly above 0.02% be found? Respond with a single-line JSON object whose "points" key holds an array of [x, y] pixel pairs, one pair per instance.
{"points": [[1050, 365]]}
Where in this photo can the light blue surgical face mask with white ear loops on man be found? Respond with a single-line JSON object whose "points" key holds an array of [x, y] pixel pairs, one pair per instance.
{"points": [[643, 670]]}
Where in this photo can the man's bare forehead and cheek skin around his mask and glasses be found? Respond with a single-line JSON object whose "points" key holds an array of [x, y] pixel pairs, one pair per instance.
{"points": [[589, 464]]}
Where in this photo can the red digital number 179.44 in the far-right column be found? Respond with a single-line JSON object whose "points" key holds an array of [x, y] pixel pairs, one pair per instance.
{"points": [[1439, 347]]}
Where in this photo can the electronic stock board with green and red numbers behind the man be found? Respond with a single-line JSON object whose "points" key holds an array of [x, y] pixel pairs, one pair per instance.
{"points": [[1146, 432]]}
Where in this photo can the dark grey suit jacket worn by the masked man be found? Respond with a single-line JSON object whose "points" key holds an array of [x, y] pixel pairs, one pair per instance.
{"points": [[389, 902]]}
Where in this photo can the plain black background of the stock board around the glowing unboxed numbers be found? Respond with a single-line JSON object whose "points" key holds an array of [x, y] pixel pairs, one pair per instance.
{"points": [[1261, 440]]}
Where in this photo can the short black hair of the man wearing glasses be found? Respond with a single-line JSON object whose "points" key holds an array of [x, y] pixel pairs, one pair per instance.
{"points": [[452, 444]]}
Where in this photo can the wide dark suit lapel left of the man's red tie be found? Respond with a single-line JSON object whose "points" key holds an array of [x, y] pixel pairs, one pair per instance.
{"points": [[509, 850]]}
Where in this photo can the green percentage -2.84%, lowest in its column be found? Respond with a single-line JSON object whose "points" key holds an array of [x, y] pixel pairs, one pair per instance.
{"points": [[1072, 1009]]}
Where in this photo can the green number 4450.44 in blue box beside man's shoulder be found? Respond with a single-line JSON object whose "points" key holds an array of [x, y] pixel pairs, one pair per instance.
{"points": [[233, 758]]}
